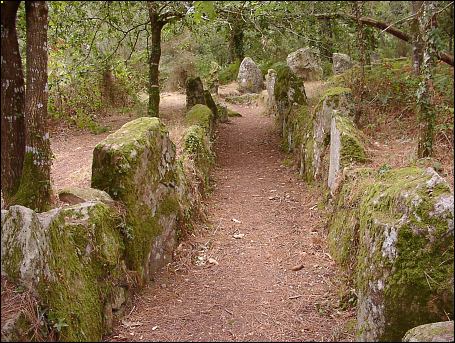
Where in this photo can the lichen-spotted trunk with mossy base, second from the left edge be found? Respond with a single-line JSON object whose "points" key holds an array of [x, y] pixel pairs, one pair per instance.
{"points": [[35, 188]]}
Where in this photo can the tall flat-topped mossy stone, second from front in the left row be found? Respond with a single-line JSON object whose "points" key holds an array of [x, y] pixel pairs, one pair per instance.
{"points": [[136, 165]]}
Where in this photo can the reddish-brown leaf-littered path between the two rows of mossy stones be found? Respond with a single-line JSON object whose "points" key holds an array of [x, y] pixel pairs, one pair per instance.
{"points": [[244, 288]]}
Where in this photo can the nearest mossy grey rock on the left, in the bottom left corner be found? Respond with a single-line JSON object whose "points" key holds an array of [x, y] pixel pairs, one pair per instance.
{"points": [[69, 259]]}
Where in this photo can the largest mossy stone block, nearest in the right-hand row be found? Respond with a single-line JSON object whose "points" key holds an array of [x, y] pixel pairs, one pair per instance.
{"points": [[395, 229]]}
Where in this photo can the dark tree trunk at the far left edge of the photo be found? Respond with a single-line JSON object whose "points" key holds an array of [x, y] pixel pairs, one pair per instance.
{"points": [[12, 104]]}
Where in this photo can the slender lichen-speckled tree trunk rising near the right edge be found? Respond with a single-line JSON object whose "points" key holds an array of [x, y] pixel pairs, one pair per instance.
{"points": [[426, 113]]}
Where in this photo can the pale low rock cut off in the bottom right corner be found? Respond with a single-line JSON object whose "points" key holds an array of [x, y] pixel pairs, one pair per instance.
{"points": [[433, 332]]}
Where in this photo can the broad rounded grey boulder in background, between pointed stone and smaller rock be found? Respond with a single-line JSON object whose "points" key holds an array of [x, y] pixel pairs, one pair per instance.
{"points": [[305, 64]]}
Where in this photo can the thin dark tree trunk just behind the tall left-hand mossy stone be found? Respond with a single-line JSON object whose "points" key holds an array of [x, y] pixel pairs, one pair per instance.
{"points": [[154, 61]]}
